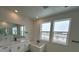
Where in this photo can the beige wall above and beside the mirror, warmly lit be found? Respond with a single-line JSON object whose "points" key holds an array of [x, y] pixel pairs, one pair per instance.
{"points": [[10, 16]]}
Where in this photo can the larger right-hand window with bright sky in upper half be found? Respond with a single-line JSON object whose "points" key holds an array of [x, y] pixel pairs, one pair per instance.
{"points": [[60, 31]]}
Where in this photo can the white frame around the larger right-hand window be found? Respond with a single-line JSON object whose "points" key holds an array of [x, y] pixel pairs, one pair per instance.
{"points": [[52, 28]]}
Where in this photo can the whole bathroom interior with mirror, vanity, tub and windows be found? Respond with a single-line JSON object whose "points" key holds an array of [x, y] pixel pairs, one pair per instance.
{"points": [[39, 29]]}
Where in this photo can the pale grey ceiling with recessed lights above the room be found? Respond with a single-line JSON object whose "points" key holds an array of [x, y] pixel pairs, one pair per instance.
{"points": [[38, 11]]}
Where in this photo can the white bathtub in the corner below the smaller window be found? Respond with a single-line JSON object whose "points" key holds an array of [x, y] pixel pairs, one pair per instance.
{"points": [[37, 47]]}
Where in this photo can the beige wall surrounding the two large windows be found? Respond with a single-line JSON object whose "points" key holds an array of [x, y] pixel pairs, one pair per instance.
{"points": [[74, 31]]}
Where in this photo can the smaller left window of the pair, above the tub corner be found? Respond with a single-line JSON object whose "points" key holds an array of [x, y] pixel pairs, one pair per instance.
{"points": [[45, 31]]}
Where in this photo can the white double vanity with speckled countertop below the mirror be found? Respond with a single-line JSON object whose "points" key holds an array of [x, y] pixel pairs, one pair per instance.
{"points": [[12, 46]]}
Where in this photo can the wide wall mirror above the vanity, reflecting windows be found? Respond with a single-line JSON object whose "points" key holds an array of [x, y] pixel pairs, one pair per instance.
{"points": [[16, 30]]}
